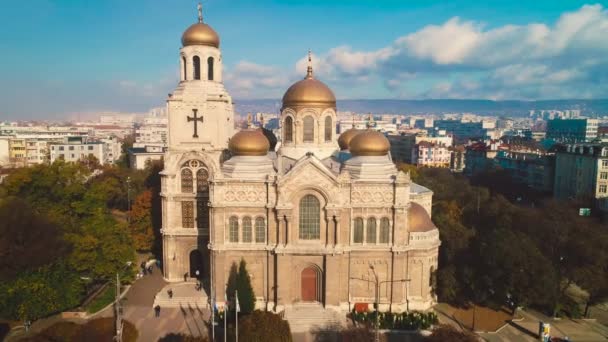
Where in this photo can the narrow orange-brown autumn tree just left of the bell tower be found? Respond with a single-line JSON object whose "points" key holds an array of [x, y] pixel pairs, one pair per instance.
{"points": [[140, 226]]}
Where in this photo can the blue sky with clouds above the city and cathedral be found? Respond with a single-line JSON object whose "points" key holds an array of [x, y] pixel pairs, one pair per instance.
{"points": [[58, 58]]}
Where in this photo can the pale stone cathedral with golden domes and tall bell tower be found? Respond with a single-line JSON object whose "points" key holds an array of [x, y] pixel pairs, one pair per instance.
{"points": [[320, 218]]}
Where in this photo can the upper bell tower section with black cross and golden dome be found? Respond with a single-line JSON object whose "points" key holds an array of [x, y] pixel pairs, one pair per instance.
{"points": [[200, 109]]}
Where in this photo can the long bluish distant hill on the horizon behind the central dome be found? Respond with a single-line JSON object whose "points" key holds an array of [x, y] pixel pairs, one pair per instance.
{"points": [[481, 107]]}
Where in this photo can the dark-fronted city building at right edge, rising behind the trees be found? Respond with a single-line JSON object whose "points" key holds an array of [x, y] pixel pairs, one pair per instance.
{"points": [[581, 171]]}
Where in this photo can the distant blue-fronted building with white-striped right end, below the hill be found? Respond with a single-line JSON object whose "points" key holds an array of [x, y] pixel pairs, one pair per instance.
{"points": [[572, 130]]}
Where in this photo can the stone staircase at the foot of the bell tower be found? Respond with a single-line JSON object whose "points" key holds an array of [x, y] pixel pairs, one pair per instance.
{"points": [[184, 296]]}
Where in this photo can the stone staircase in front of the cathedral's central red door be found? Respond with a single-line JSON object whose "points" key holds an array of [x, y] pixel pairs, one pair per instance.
{"points": [[313, 317]]}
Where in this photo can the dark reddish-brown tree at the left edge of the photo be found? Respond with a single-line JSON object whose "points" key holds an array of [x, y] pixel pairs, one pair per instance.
{"points": [[28, 239]]}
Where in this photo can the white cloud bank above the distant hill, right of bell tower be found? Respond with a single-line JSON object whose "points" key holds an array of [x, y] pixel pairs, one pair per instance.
{"points": [[464, 59]]}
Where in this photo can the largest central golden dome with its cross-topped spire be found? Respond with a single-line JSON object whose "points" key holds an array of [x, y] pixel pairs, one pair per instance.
{"points": [[309, 92]]}
